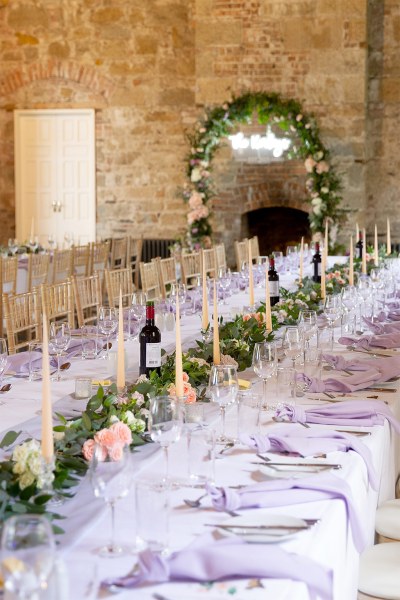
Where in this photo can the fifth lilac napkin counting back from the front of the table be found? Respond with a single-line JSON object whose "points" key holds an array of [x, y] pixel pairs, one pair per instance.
{"points": [[358, 381]]}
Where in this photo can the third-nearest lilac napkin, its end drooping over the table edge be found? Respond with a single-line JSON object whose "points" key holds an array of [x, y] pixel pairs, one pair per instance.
{"points": [[309, 442]]}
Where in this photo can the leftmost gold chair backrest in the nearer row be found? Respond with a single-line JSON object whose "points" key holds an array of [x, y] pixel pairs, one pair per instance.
{"points": [[23, 319]]}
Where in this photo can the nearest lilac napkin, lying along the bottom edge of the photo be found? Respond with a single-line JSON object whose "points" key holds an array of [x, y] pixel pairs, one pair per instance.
{"points": [[207, 559]]}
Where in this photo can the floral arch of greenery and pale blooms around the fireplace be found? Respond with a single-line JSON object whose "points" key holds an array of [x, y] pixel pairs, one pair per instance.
{"points": [[322, 186]]}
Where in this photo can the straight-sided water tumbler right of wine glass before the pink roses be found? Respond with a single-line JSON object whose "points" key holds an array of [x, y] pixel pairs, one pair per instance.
{"points": [[153, 515]]}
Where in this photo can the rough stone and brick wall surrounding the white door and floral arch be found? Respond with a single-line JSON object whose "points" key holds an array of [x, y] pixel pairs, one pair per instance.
{"points": [[149, 67]]}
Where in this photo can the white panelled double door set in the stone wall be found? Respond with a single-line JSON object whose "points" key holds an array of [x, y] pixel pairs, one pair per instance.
{"points": [[55, 175]]}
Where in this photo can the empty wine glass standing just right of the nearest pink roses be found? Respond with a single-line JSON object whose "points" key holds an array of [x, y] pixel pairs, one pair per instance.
{"points": [[165, 424]]}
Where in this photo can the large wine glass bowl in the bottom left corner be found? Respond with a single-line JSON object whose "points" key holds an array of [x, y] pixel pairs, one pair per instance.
{"points": [[27, 555]]}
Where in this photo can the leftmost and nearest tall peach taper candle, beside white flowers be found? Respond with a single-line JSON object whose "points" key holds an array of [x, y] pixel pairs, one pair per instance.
{"points": [[47, 419]]}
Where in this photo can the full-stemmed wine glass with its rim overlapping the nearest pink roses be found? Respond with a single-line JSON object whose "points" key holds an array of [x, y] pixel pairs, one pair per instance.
{"points": [[110, 474]]}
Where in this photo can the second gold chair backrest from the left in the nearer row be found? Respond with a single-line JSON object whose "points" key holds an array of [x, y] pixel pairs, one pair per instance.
{"points": [[58, 302]]}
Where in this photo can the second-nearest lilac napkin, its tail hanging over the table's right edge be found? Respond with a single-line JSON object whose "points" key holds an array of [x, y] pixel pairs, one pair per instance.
{"points": [[283, 492]]}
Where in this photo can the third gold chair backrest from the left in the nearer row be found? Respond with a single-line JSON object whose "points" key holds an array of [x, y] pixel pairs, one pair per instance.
{"points": [[88, 298]]}
